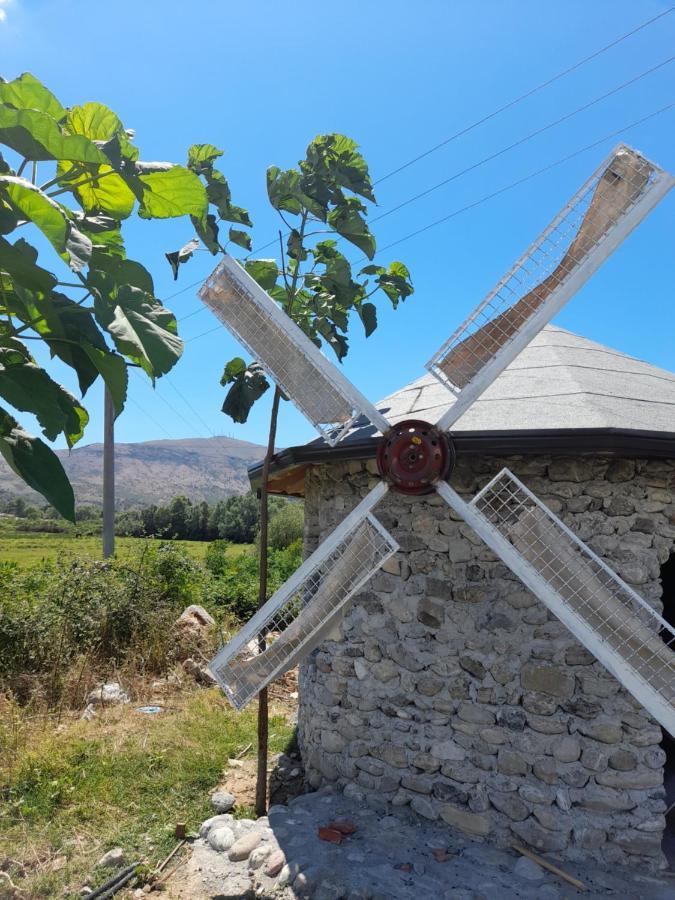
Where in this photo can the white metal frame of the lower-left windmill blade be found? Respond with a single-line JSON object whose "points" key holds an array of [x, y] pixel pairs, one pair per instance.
{"points": [[256, 626]]}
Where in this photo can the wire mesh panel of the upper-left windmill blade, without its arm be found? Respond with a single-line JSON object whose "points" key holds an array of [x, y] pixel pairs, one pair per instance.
{"points": [[248, 315]]}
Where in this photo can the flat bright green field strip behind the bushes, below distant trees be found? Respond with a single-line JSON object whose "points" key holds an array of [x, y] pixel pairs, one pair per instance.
{"points": [[27, 548]]}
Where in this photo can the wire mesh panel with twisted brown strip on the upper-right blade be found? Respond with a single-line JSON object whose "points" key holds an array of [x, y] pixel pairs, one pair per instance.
{"points": [[582, 226]]}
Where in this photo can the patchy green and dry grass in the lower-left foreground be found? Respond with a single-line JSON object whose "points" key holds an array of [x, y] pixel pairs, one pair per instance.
{"points": [[125, 779]]}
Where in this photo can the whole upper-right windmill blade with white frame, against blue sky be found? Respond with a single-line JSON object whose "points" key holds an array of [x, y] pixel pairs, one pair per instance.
{"points": [[614, 200]]}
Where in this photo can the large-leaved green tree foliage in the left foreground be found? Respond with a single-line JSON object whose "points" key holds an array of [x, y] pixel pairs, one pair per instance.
{"points": [[97, 312]]}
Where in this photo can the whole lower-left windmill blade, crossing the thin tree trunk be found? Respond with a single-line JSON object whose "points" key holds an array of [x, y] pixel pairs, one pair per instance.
{"points": [[304, 610]]}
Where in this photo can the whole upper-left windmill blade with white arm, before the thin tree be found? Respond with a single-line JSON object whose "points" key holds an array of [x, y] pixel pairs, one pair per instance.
{"points": [[317, 387]]}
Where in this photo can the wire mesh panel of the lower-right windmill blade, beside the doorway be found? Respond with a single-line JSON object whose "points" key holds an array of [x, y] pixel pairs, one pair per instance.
{"points": [[620, 619]]}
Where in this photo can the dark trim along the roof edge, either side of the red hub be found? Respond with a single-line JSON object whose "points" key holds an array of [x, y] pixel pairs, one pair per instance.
{"points": [[551, 442]]}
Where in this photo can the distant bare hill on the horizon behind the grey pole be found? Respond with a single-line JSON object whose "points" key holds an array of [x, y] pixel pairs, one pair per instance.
{"points": [[153, 471]]}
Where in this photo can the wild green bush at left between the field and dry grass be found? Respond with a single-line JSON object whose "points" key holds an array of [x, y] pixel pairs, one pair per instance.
{"points": [[52, 616]]}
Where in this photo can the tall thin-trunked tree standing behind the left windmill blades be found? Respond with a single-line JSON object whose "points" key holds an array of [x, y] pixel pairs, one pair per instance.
{"points": [[316, 285]]}
